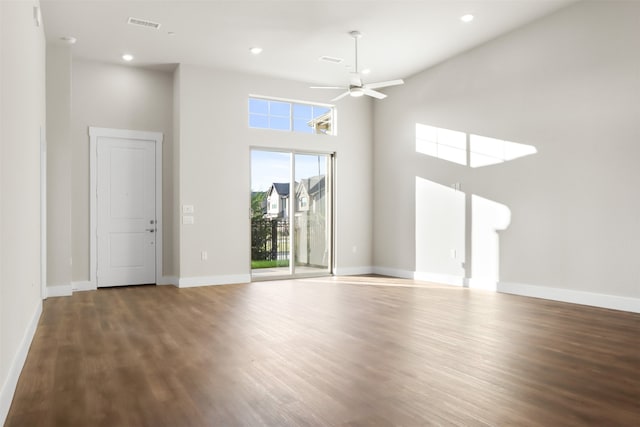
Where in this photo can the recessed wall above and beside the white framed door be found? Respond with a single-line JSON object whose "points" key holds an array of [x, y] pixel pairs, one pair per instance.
{"points": [[122, 97]]}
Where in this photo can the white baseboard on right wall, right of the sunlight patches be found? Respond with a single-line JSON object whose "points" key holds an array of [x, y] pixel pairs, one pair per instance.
{"points": [[576, 297]]}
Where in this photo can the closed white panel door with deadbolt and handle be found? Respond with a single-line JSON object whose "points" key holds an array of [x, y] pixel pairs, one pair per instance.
{"points": [[126, 212]]}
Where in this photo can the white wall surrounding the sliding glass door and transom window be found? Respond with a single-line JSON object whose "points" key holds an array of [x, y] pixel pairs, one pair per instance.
{"points": [[214, 144]]}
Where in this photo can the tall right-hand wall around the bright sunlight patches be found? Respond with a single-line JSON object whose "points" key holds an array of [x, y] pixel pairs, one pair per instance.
{"points": [[568, 84]]}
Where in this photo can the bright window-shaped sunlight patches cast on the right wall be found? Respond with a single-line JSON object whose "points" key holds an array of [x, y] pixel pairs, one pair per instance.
{"points": [[443, 213]]}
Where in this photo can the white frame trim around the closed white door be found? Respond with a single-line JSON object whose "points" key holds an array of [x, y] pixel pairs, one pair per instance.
{"points": [[95, 134]]}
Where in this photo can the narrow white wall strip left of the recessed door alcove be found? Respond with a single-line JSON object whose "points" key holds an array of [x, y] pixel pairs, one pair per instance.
{"points": [[59, 156]]}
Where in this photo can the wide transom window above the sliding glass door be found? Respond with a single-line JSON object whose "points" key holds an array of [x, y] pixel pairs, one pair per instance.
{"points": [[265, 113]]}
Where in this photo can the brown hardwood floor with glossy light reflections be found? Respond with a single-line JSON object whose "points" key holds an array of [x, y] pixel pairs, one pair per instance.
{"points": [[347, 351]]}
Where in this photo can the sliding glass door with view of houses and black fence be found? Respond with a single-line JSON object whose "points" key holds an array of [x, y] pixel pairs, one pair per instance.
{"points": [[291, 226]]}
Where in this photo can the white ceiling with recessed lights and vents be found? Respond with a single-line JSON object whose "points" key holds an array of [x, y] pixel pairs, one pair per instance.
{"points": [[400, 37]]}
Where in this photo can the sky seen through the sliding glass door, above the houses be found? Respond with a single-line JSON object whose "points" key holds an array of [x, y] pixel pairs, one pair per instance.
{"points": [[268, 167]]}
